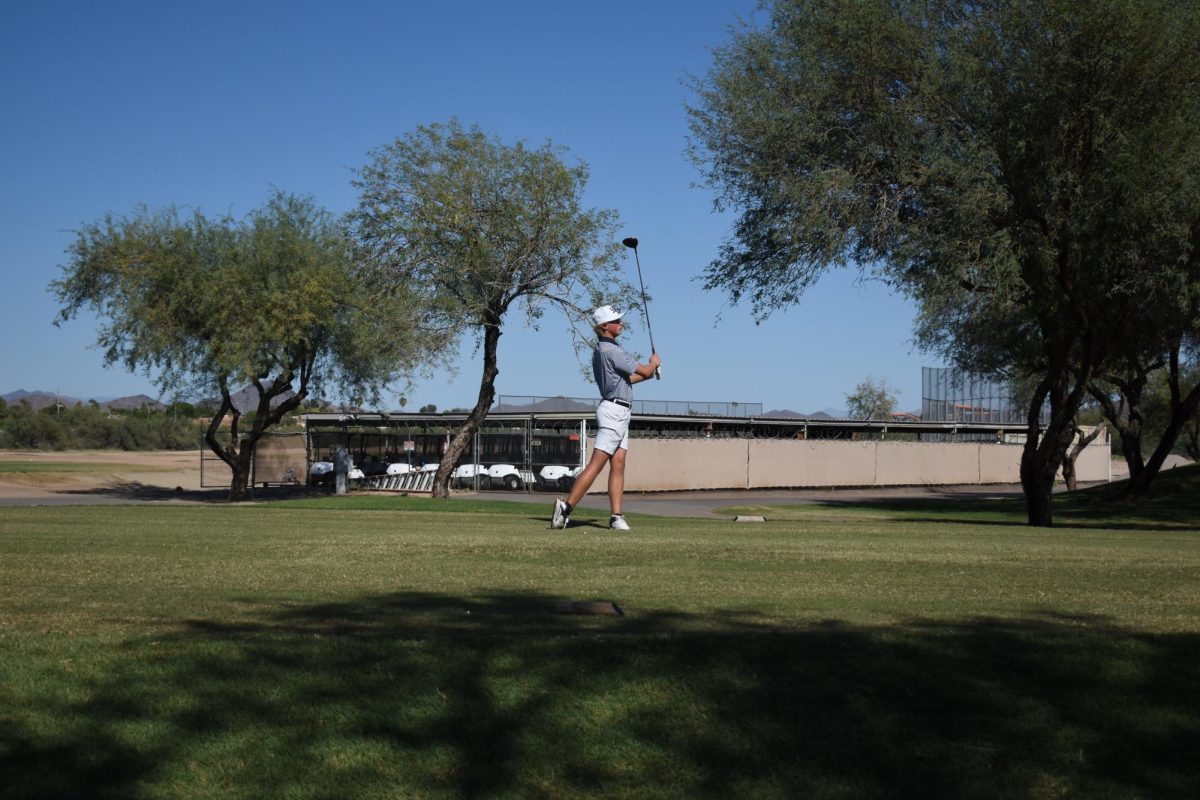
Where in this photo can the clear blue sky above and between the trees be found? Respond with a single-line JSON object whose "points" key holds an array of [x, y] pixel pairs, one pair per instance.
{"points": [[113, 105]]}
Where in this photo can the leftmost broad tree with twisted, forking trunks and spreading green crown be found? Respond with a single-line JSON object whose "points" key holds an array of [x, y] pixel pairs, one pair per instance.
{"points": [[206, 306]]}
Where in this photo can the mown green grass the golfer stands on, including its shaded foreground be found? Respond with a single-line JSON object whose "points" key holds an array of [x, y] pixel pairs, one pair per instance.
{"points": [[404, 648]]}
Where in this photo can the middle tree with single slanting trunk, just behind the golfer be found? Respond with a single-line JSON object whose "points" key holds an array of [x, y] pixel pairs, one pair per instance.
{"points": [[481, 228]]}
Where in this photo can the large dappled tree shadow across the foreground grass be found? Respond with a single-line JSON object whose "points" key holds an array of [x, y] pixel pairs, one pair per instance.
{"points": [[424, 695]]}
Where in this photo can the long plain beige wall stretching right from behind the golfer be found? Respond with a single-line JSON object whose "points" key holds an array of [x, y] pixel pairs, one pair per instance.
{"points": [[670, 465]]}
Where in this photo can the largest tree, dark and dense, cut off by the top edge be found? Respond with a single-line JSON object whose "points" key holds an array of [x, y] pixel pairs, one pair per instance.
{"points": [[1027, 171]]}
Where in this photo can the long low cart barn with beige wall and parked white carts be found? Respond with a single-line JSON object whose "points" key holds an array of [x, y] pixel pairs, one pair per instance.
{"points": [[532, 444]]}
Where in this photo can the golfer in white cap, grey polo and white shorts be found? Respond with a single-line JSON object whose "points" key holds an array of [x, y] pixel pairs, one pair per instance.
{"points": [[616, 372]]}
